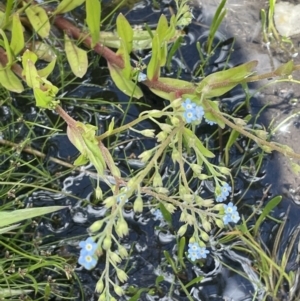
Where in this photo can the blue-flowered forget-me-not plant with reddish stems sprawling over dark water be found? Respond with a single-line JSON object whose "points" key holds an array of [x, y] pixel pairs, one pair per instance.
{"points": [[188, 106]]}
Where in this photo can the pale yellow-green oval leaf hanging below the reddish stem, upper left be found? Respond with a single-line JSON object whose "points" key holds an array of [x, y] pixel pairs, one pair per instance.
{"points": [[77, 57]]}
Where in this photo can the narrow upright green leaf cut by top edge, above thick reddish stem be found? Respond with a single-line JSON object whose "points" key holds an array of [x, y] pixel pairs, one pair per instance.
{"points": [[93, 16]]}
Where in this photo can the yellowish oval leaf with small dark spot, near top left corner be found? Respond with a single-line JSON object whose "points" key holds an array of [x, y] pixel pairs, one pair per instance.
{"points": [[39, 20]]}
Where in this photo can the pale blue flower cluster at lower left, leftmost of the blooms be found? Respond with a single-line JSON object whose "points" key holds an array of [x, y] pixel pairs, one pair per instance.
{"points": [[88, 257]]}
